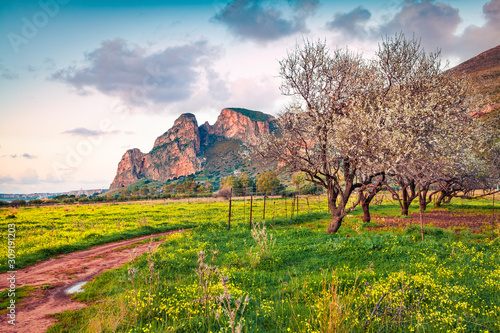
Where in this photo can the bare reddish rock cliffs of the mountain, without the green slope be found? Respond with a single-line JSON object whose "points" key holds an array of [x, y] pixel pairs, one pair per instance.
{"points": [[179, 151]]}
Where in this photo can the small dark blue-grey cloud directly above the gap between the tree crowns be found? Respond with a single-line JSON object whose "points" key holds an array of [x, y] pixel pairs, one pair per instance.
{"points": [[352, 23]]}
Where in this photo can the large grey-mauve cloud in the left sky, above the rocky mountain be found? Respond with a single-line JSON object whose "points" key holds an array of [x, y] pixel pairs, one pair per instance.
{"points": [[140, 78]]}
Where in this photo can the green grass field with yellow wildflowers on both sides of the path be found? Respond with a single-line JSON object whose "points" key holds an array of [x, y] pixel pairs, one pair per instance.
{"points": [[297, 277]]}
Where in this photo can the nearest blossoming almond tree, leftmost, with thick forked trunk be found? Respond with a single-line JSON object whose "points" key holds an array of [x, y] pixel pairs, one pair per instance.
{"points": [[319, 133]]}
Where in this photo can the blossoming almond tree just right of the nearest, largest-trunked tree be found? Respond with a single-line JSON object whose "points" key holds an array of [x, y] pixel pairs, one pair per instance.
{"points": [[426, 118]]}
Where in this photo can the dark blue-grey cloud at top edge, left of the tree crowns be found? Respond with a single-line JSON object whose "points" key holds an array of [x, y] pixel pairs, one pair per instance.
{"points": [[250, 20]]}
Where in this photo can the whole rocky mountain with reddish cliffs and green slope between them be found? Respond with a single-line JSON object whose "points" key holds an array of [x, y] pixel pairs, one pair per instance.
{"points": [[188, 149]]}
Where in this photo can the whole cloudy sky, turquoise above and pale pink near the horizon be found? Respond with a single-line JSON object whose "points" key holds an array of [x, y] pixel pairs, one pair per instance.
{"points": [[83, 81]]}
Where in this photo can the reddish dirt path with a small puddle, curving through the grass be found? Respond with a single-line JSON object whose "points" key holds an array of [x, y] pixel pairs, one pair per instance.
{"points": [[62, 273]]}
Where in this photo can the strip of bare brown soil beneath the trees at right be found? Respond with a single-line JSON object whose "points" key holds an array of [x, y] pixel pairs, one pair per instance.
{"points": [[456, 221]]}
